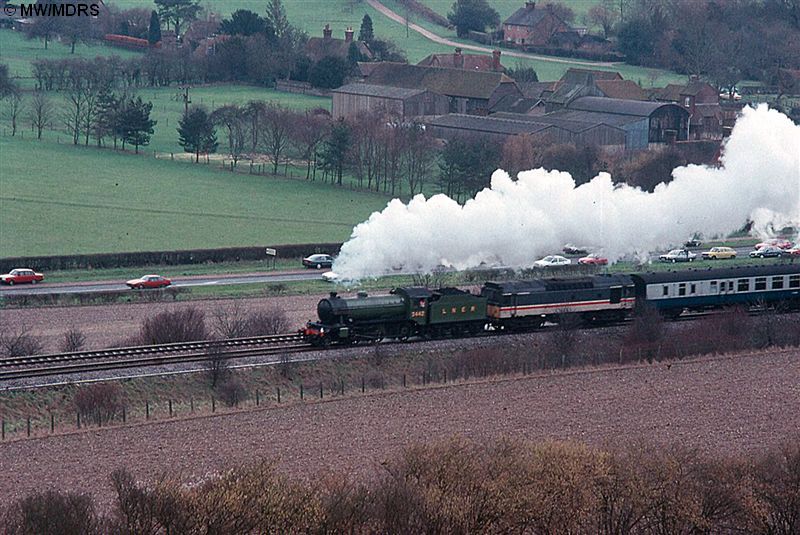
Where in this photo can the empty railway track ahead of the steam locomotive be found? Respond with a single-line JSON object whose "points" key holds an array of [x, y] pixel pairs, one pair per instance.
{"points": [[141, 356]]}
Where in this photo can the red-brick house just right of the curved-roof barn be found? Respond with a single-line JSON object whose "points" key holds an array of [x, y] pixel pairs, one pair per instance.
{"points": [[701, 100]]}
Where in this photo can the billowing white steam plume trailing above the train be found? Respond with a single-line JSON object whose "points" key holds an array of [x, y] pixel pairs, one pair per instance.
{"points": [[513, 223]]}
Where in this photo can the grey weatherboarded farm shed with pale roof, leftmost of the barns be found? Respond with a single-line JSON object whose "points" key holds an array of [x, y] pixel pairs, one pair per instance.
{"points": [[352, 99]]}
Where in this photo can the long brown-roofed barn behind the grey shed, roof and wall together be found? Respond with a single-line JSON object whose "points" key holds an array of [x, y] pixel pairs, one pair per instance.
{"points": [[468, 92]]}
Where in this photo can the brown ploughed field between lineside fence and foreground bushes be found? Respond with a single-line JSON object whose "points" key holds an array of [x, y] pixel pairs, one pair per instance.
{"points": [[724, 405]]}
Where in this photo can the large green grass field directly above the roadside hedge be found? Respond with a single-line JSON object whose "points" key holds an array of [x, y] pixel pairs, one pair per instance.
{"points": [[60, 199]]}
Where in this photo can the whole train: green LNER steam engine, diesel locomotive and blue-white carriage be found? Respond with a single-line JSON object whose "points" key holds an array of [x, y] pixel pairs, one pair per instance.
{"points": [[528, 304]]}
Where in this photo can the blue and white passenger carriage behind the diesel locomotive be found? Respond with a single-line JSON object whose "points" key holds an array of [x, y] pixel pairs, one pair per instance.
{"points": [[674, 291]]}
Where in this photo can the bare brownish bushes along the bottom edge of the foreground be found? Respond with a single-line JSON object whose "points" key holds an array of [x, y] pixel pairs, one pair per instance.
{"points": [[454, 486]]}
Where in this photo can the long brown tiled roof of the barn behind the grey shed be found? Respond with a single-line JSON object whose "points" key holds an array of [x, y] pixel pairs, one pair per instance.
{"points": [[451, 82]]}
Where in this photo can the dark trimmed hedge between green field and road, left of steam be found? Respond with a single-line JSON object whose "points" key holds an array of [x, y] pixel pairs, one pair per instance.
{"points": [[162, 258]]}
